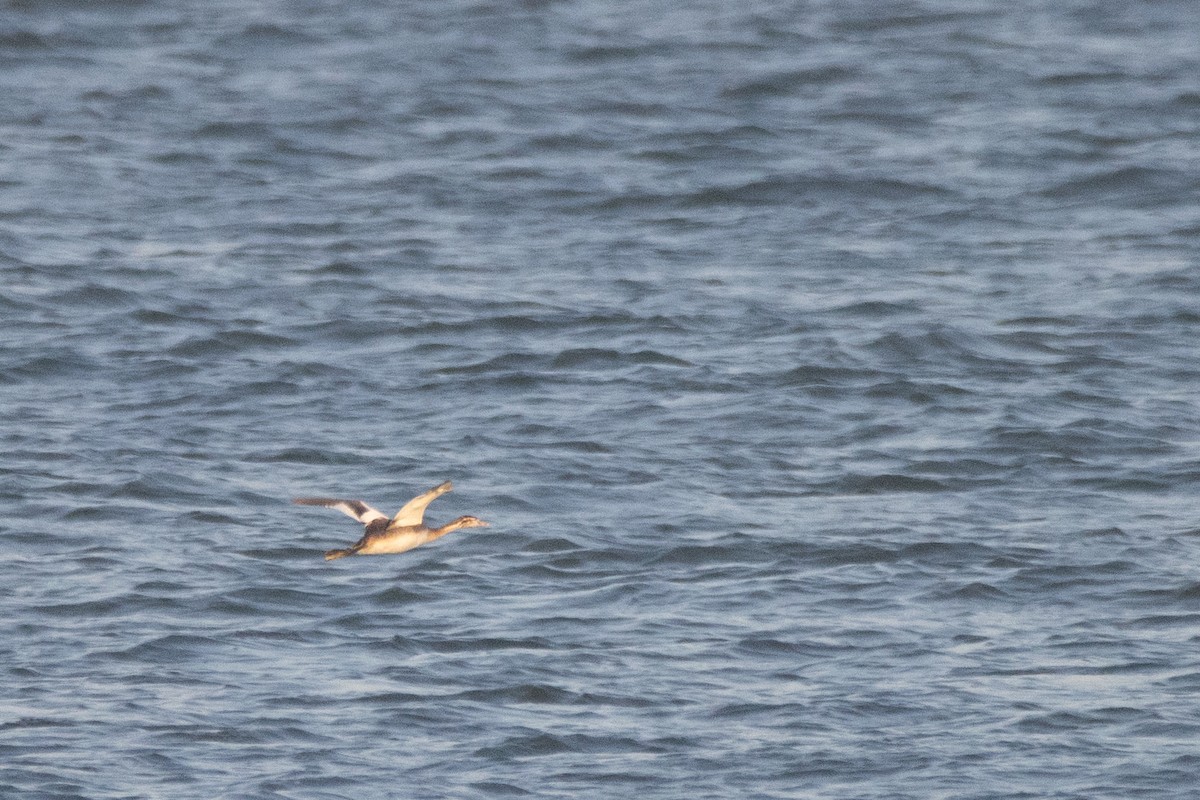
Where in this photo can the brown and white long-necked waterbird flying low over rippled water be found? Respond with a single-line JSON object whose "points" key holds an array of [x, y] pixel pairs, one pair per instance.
{"points": [[399, 534]]}
